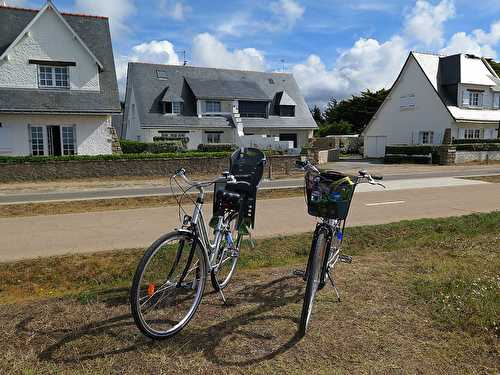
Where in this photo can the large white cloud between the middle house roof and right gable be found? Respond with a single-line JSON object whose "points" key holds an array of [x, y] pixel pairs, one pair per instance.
{"points": [[368, 64]]}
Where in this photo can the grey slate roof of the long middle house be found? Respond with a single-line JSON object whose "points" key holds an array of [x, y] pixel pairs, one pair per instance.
{"points": [[190, 82]]}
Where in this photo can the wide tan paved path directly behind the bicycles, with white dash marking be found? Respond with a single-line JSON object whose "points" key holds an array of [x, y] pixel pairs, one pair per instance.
{"points": [[54, 235]]}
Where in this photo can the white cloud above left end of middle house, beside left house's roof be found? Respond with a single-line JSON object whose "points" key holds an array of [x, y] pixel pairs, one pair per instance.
{"points": [[156, 52]]}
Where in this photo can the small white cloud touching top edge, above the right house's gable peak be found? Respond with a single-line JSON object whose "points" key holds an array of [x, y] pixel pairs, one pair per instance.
{"points": [[424, 23]]}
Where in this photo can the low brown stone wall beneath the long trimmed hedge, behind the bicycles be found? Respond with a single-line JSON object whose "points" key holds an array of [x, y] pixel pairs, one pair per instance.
{"points": [[57, 170]]}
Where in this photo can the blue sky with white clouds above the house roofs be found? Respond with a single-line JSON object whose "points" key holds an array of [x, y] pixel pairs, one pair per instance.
{"points": [[334, 48]]}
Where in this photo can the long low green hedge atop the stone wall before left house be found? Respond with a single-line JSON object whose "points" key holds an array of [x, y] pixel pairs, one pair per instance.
{"points": [[141, 156]]}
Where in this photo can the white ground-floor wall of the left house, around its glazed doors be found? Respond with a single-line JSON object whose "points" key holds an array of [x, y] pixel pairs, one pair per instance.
{"points": [[92, 132]]}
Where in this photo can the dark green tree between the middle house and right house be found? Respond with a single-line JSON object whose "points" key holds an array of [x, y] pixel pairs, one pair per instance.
{"points": [[358, 110]]}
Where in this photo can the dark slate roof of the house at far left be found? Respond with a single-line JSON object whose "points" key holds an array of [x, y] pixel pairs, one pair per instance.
{"points": [[94, 31]]}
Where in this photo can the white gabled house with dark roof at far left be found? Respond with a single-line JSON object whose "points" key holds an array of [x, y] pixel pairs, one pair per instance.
{"points": [[58, 86]]}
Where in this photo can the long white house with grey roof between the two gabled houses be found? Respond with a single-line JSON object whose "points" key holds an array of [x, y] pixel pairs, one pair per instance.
{"points": [[207, 105]]}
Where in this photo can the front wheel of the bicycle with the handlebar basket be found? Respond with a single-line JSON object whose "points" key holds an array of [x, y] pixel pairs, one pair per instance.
{"points": [[313, 273]]}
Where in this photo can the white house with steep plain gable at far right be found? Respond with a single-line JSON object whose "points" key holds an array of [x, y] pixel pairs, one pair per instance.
{"points": [[437, 98]]}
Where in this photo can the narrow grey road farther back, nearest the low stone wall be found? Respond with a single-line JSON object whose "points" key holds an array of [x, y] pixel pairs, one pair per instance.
{"points": [[106, 193]]}
